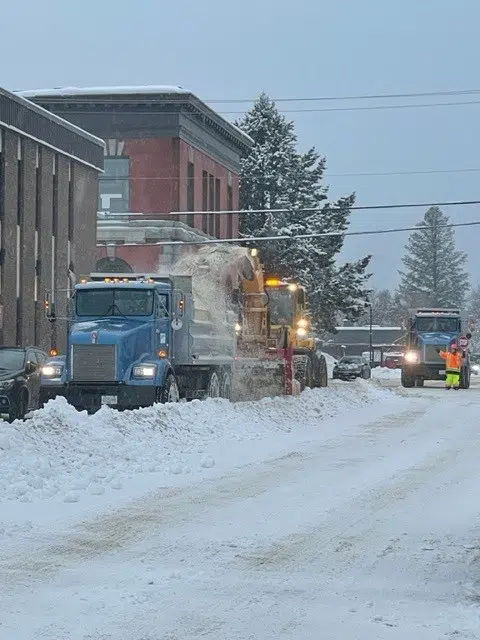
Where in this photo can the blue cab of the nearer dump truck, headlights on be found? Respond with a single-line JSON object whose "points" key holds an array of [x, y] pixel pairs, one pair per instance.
{"points": [[120, 350]]}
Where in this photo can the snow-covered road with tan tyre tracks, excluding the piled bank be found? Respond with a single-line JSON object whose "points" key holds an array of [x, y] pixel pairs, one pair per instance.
{"points": [[364, 525]]}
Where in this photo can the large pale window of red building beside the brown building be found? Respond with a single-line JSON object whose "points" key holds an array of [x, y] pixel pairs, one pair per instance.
{"points": [[114, 187]]}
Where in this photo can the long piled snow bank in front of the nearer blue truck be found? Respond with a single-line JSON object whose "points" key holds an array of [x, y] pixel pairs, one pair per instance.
{"points": [[63, 454]]}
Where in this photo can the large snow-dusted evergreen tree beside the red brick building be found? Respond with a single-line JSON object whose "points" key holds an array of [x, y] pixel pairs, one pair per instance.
{"points": [[276, 176]]}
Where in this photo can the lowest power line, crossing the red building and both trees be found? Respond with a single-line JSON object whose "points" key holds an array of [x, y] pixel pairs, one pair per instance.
{"points": [[304, 236]]}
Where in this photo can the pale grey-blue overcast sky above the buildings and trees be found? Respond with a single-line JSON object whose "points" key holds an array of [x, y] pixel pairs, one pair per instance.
{"points": [[222, 50]]}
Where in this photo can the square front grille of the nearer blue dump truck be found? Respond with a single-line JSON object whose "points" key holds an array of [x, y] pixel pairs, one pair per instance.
{"points": [[94, 362]]}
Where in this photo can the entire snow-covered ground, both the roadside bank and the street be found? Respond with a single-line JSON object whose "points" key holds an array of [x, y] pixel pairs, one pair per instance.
{"points": [[349, 512]]}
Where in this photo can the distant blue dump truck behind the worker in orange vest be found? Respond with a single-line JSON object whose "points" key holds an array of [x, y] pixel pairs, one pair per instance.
{"points": [[427, 330]]}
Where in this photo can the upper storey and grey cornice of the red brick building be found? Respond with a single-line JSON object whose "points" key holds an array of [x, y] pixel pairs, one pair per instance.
{"points": [[166, 150]]}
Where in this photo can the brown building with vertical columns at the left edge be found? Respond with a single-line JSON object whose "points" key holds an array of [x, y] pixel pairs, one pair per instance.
{"points": [[48, 207]]}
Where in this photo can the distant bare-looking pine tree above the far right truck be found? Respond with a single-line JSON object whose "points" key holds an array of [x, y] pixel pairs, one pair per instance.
{"points": [[434, 267]]}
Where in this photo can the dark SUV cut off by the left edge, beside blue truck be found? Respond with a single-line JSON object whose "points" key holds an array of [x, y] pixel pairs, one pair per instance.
{"points": [[20, 380]]}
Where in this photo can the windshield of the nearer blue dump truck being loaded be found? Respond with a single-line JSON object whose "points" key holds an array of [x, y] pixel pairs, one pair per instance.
{"points": [[115, 302]]}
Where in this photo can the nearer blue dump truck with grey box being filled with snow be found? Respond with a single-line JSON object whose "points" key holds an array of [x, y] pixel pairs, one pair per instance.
{"points": [[137, 339]]}
